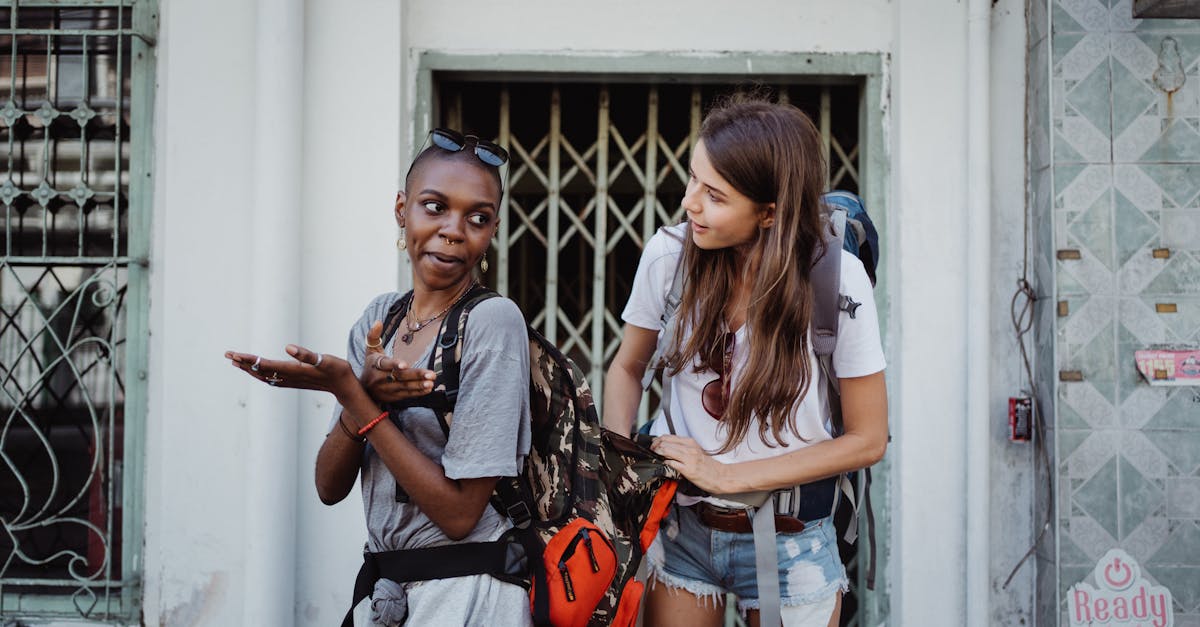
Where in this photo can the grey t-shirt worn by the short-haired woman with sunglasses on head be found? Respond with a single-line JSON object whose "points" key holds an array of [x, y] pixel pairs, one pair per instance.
{"points": [[489, 435]]}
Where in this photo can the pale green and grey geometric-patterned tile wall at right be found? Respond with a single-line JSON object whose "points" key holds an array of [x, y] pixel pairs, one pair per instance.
{"points": [[1125, 135]]}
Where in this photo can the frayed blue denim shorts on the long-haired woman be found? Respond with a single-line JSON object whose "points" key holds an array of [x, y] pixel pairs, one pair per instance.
{"points": [[709, 563]]}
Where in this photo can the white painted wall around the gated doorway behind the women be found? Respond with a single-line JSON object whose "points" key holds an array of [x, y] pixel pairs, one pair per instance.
{"points": [[358, 98]]}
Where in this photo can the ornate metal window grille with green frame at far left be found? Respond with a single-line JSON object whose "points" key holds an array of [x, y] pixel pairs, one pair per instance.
{"points": [[75, 114]]}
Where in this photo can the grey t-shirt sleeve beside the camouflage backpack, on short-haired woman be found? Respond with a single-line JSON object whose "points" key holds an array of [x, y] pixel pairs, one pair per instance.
{"points": [[490, 432]]}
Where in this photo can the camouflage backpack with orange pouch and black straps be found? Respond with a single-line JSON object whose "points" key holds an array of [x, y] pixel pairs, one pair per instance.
{"points": [[585, 509]]}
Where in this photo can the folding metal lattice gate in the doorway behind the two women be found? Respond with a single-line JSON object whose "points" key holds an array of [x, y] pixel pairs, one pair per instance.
{"points": [[596, 170]]}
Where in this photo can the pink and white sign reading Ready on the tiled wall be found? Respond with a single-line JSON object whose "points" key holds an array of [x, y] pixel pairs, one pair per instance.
{"points": [[1123, 598]]}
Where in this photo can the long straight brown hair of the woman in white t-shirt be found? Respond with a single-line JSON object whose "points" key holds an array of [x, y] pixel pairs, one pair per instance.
{"points": [[772, 154]]}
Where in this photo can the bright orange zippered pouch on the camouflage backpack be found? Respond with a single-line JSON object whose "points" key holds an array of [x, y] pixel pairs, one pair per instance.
{"points": [[580, 568]]}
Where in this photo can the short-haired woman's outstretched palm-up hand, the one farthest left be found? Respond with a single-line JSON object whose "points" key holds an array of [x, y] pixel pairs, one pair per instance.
{"points": [[305, 371]]}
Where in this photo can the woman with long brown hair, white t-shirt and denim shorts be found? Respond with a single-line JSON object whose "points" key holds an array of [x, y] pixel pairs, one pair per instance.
{"points": [[751, 411]]}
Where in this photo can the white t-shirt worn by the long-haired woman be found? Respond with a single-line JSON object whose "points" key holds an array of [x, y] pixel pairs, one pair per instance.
{"points": [[859, 354]]}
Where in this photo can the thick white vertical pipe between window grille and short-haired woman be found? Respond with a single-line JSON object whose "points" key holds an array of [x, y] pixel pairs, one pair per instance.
{"points": [[275, 277]]}
